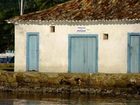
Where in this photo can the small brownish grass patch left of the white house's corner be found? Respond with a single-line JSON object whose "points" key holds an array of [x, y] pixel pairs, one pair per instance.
{"points": [[6, 67]]}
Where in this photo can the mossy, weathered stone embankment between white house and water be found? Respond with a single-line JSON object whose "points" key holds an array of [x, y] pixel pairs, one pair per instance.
{"points": [[124, 85]]}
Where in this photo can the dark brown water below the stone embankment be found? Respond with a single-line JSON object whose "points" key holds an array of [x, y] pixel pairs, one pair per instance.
{"points": [[11, 99]]}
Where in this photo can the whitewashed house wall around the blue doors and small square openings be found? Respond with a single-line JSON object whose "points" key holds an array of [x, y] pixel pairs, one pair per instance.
{"points": [[53, 55]]}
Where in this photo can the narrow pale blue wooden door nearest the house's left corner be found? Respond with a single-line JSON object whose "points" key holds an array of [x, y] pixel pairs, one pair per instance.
{"points": [[32, 51]]}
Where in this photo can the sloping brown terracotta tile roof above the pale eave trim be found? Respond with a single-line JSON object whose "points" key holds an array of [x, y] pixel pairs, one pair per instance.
{"points": [[88, 9]]}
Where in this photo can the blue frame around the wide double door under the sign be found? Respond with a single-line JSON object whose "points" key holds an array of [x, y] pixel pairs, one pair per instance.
{"points": [[78, 36]]}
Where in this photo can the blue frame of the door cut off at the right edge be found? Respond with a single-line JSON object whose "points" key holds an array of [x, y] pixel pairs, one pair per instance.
{"points": [[128, 50]]}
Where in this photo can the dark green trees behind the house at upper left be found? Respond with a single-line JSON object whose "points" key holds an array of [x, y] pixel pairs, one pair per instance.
{"points": [[9, 9]]}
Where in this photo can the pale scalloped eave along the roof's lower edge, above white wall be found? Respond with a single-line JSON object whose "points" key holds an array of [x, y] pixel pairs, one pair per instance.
{"points": [[77, 22]]}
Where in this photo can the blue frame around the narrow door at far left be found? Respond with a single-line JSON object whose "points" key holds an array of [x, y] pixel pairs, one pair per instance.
{"points": [[27, 49]]}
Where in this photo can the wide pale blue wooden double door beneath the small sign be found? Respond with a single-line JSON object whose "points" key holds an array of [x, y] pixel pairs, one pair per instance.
{"points": [[83, 54]]}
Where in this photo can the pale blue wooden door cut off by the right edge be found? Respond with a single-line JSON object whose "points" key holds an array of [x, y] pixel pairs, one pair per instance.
{"points": [[134, 54]]}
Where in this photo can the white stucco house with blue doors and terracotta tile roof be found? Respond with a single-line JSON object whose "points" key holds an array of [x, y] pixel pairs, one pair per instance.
{"points": [[85, 36]]}
